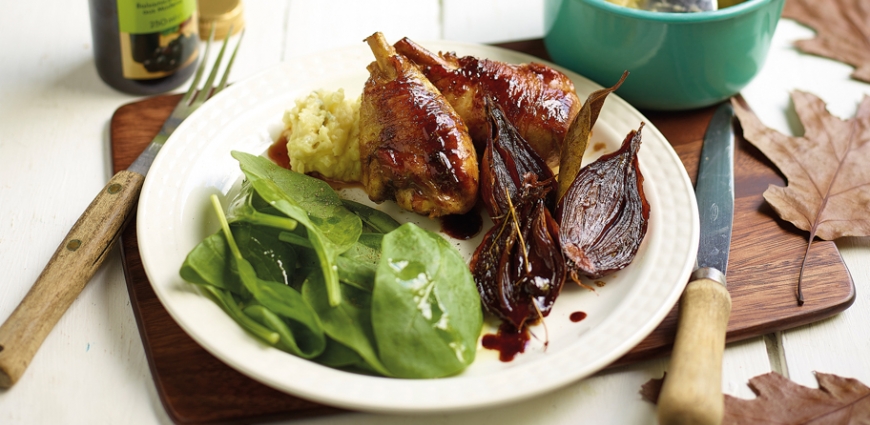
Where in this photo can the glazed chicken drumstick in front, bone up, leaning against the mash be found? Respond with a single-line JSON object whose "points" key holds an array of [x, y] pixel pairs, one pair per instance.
{"points": [[414, 148]]}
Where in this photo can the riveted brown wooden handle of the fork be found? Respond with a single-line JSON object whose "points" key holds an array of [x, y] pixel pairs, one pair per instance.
{"points": [[71, 267]]}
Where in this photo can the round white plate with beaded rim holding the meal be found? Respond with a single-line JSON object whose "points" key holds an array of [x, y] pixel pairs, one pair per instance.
{"points": [[174, 215]]}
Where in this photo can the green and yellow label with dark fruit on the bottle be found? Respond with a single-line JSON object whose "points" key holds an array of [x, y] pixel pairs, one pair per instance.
{"points": [[158, 37]]}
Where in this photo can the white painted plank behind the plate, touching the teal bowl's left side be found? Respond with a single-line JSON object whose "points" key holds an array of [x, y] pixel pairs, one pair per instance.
{"points": [[490, 21]]}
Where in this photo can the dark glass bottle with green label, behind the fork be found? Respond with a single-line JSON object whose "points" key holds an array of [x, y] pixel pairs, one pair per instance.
{"points": [[147, 46]]}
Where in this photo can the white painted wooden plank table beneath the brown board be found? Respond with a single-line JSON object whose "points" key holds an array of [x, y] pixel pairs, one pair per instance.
{"points": [[54, 156]]}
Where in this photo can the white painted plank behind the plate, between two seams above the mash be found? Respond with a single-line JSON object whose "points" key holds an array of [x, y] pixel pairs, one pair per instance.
{"points": [[318, 25]]}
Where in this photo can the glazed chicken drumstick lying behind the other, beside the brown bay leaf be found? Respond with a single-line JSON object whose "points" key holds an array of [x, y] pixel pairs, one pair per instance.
{"points": [[538, 100]]}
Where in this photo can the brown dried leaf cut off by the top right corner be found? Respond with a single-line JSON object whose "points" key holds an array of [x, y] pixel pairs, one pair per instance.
{"points": [[842, 31]]}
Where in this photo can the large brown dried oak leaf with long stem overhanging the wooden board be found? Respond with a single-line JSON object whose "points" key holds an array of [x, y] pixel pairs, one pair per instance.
{"points": [[828, 192]]}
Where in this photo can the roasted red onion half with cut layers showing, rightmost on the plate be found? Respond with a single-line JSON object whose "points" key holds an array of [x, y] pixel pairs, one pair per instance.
{"points": [[603, 216]]}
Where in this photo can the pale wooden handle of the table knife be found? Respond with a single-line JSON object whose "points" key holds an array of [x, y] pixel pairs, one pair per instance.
{"points": [[692, 391]]}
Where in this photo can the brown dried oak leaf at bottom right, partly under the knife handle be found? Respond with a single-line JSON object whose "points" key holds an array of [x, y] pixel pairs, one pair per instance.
{"points": [[778, 400]]}
